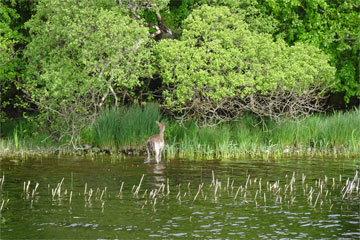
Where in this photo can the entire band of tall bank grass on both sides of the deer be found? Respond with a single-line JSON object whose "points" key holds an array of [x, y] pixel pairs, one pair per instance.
{"points": [[127, 129]]}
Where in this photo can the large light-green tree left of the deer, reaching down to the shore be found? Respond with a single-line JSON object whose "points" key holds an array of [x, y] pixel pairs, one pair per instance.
{"points": [[82, 55]]}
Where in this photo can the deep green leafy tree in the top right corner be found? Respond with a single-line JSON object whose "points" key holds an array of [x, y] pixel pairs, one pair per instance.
{"points": [[333, 26]]}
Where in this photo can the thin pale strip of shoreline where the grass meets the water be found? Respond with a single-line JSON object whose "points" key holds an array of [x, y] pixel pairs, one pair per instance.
{"points": [[211, 154]]}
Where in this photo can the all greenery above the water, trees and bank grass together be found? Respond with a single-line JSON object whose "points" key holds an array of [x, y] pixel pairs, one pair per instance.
{"points": [[70, 68]]}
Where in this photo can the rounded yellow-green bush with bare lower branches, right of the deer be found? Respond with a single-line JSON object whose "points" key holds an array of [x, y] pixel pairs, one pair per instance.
{"points": [[219, 67]]}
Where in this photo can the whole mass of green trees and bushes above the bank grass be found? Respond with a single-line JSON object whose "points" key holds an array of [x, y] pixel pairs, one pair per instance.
{"points": [[204, 59]]}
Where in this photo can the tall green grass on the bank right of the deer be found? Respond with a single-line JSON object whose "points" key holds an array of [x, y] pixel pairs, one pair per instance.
{"points": [[336, 134]]}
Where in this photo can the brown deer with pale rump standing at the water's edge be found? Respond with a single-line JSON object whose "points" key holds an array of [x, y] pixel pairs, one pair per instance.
{"points": [[156, 143]]}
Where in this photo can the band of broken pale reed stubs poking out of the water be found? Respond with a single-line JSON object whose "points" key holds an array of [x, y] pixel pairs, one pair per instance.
{"points": [[290, 191]]}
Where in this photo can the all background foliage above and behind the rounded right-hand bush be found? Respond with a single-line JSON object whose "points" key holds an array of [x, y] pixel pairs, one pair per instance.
{"points": [[332, 26]]}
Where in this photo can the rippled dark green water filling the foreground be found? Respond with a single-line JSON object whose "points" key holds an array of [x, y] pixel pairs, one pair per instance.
{"points": [[317, 208]]}
